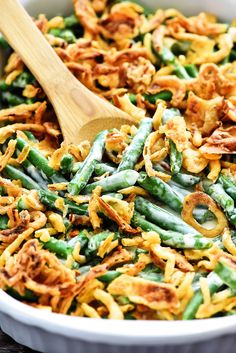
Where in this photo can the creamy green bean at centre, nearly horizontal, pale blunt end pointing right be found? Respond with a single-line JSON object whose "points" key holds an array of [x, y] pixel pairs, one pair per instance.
{"points": [[115, 182]]}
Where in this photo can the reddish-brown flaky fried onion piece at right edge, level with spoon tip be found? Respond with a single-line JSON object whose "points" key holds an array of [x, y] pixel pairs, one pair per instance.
{"points": [[221, 141]]}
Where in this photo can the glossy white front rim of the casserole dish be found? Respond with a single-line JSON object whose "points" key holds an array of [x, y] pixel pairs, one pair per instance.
{"points": [[114, 331]]}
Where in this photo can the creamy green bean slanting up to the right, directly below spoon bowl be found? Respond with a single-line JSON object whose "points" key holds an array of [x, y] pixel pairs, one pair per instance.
{"points": [[83, 175]]}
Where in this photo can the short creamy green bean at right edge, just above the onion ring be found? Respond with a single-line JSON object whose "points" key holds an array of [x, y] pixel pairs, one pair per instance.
{"points": [[218, 194]]}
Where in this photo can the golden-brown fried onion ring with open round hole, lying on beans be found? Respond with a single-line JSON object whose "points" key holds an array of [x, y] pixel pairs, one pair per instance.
{"points": [[200, 198]]}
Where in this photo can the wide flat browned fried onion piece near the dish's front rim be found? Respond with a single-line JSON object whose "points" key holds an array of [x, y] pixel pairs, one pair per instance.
{"points": [[154, 295]]}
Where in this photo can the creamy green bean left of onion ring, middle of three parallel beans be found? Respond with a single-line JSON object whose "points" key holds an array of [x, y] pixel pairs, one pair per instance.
{"points": [[161, 217]]}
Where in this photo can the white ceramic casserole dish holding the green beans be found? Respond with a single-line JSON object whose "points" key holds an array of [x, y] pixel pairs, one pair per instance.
{"points": [[53, 333]]}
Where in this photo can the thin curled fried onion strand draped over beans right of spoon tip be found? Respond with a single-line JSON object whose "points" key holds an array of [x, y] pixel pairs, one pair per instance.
{"points": [[155, 150]]}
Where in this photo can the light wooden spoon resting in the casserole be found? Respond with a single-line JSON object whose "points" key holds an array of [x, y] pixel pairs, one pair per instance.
{"points": [[81, 114]]}
